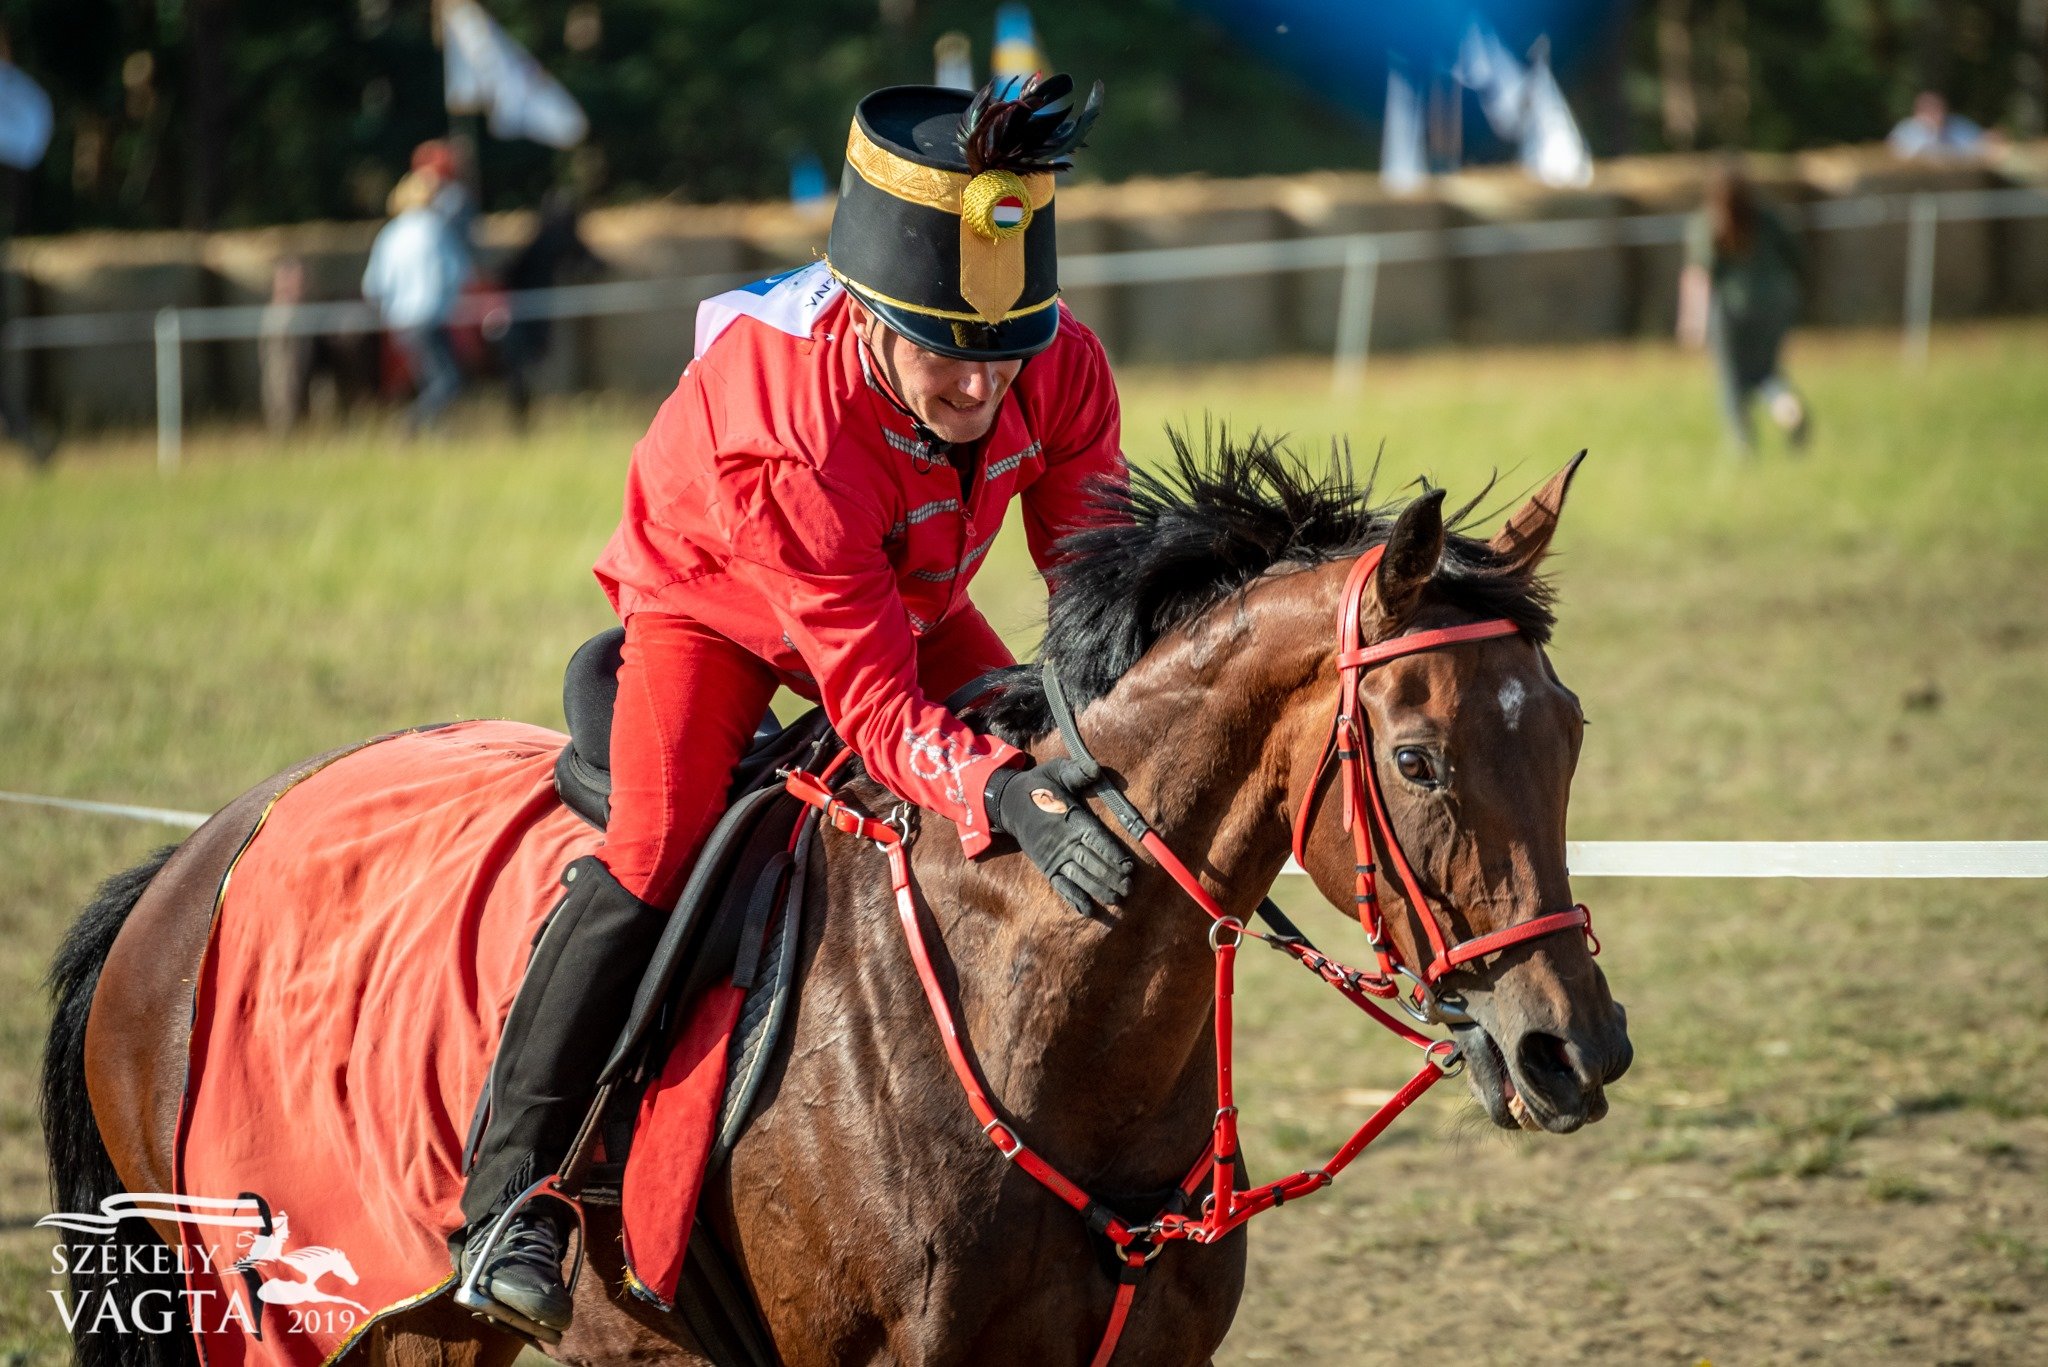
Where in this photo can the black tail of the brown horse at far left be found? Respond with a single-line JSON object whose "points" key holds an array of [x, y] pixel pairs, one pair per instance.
{"points": [[81, 1171]]}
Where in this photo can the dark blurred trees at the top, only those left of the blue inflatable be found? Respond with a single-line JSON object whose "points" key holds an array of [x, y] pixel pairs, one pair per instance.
{"points": [[216, 114]]}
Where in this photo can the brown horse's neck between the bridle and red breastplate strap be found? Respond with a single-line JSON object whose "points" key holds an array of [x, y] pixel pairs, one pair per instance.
{"points": [[1103, 1046]]}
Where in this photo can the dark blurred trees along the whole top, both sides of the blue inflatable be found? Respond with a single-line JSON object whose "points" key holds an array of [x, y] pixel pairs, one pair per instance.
{"points": [[228, 114]]}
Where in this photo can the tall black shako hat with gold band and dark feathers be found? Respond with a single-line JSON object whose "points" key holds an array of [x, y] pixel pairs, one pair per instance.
{"points": [[945, 220]]}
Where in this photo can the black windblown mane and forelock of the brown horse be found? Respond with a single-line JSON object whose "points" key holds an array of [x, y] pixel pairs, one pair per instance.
{"points": [[1203, 530]]}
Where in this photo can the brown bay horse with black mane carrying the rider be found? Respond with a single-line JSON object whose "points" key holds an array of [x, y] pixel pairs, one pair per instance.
{"points": [[867, 1210]]}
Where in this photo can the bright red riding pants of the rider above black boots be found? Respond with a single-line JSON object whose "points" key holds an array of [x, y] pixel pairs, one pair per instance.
{"points": [[689, 704]]}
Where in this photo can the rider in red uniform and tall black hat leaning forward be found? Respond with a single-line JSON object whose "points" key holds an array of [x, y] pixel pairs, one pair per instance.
{"points": [[808, 511]]}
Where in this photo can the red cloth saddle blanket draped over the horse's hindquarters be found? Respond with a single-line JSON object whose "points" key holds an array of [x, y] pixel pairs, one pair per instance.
{"points": [[366, 952]]}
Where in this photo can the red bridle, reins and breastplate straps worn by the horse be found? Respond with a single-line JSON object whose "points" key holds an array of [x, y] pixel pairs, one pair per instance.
{"points": [[1226, 1204]]}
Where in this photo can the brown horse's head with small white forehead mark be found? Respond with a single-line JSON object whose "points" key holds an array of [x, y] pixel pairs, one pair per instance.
{"points": [[1474, 747]]}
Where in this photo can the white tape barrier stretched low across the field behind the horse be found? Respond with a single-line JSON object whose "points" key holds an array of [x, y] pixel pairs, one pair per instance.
{"points": [[1584, 858]]}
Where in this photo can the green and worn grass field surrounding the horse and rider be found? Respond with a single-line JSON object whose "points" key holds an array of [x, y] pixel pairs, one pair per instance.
{"points": [[1834, 1145]]}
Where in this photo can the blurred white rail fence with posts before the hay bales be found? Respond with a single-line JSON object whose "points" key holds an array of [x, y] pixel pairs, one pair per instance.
{"points": [[1357, 255]]}
